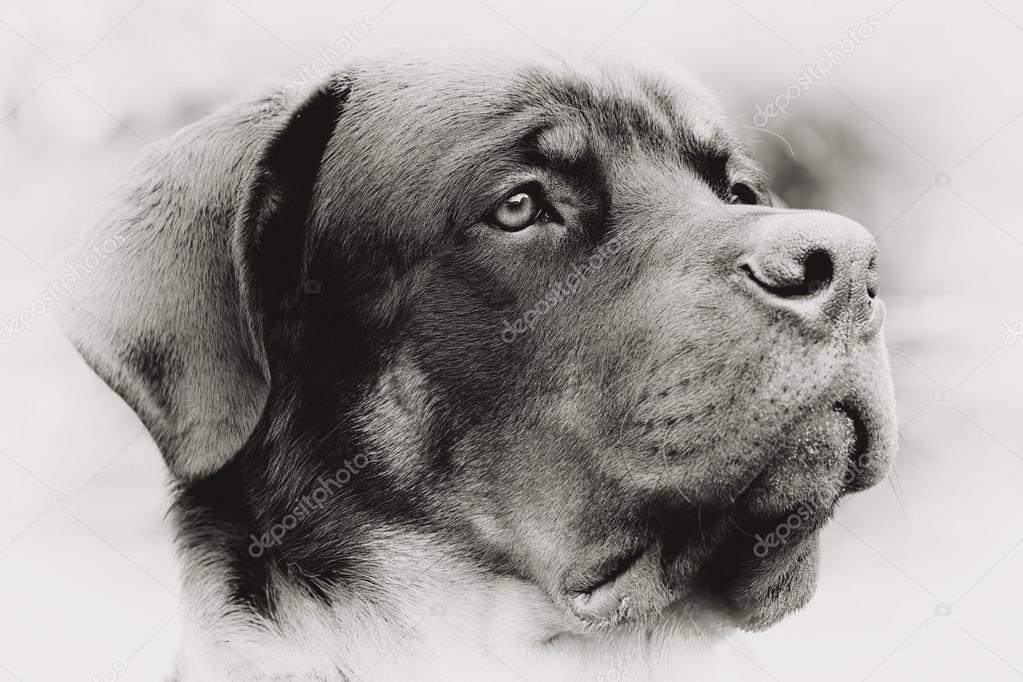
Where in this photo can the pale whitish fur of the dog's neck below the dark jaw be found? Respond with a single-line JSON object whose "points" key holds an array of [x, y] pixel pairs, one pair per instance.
{"points": [[414, 611]]}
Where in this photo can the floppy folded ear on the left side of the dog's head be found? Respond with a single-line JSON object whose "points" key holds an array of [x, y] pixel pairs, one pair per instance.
{"points": [[195, 270]]}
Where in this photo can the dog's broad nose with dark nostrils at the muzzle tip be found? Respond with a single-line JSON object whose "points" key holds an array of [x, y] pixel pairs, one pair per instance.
{"points": [[819, 266]]}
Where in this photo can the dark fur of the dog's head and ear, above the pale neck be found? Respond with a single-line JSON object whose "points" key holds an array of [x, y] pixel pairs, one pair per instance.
{"points": [[286, 262]]}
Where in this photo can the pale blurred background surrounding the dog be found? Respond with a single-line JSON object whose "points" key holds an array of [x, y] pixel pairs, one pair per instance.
{"points": [[905, 115]]}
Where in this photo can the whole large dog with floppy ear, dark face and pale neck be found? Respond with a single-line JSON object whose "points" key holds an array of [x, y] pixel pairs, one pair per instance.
{"points": [[485, 369]]}
